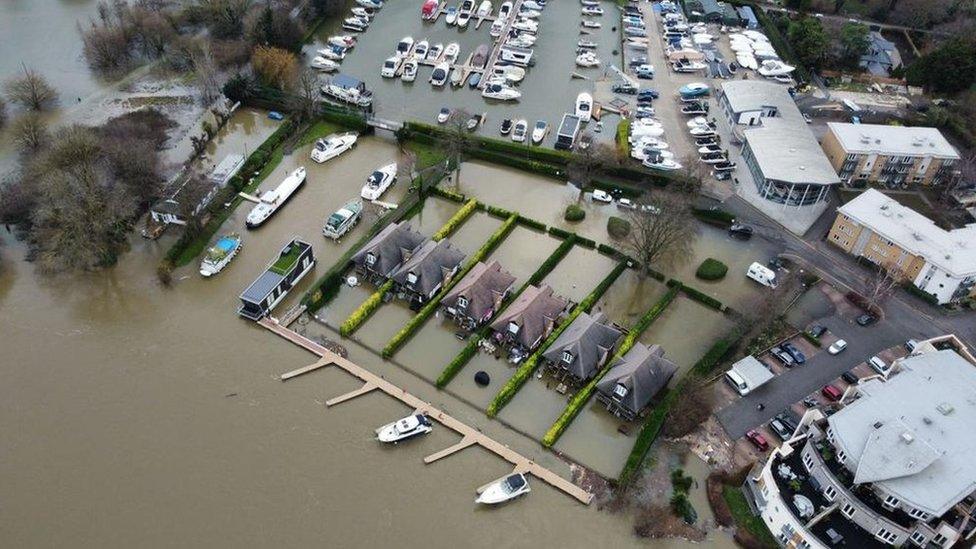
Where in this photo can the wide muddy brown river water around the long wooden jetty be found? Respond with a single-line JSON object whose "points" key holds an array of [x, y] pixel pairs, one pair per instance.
{"points": [[139, 415]]}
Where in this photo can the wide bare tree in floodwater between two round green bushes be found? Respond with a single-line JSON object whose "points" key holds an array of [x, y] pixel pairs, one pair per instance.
{"points": [[662, 231]]}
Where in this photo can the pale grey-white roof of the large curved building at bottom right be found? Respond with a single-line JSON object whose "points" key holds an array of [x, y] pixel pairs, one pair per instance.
{"points": [[913, 436]]}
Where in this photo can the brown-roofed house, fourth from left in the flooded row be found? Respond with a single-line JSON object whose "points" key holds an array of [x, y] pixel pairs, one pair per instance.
{"points": [[530, 318]]}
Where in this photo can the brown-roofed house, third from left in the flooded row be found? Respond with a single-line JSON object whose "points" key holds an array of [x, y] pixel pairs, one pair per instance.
{"points": [[476, 297]]}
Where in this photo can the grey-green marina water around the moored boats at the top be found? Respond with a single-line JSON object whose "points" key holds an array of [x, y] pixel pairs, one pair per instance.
{"points": [[548, 90]]}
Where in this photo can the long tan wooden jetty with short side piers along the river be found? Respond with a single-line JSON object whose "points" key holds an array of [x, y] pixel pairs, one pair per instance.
{"points": [[469, 435]]}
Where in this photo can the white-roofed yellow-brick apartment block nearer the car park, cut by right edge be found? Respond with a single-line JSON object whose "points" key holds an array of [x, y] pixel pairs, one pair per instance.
{"points": [[908, 244]]}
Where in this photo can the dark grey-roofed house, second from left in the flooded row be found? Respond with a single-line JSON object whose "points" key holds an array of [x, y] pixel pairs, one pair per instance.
{"points": [[428, 268]]}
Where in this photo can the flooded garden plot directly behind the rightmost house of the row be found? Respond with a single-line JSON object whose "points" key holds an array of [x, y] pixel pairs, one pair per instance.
{"points": [[686, 330]]}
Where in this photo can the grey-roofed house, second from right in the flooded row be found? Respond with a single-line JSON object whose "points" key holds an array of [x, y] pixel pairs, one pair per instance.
{"points": [[583, 347]]}
